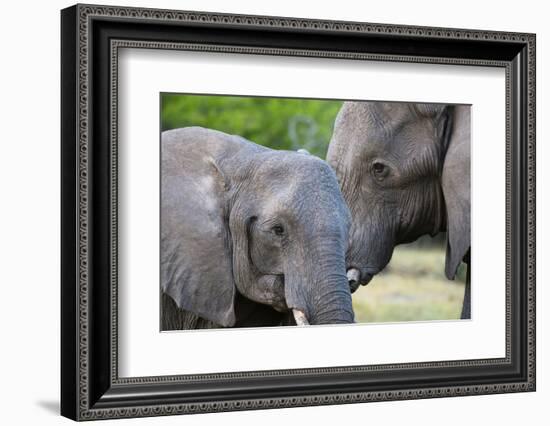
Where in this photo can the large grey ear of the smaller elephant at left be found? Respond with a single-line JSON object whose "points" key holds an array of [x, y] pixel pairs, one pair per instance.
{"points": [[196, 268]]}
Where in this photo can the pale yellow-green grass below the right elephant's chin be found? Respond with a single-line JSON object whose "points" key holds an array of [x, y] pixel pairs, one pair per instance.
{"points": [[413, 287]]}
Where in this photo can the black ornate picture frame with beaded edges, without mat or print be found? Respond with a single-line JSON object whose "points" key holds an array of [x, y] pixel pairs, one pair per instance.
{"points": [[90, 385]]}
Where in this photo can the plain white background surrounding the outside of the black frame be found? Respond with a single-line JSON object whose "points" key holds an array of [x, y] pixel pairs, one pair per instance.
{"points": [[29, 213]]}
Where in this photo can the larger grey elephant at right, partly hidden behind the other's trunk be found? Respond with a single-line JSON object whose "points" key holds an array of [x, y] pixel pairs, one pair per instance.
{"points": [[404, 170]]}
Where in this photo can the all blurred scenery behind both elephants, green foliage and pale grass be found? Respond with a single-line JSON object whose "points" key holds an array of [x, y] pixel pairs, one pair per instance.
{"points": [[413, 286]]}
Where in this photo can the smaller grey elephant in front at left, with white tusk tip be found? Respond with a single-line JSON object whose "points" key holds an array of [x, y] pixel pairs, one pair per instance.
{"points": [[249, 233]]}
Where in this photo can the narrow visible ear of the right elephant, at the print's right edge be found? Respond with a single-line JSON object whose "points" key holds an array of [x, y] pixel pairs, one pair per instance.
{"points": [[455, 182]]}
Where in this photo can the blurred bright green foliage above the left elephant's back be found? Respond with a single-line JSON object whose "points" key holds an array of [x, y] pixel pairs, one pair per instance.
{"points": [[273, 122]]}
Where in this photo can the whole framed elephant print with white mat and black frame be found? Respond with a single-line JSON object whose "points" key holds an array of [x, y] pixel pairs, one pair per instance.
{"points": [[263, 212]]}
